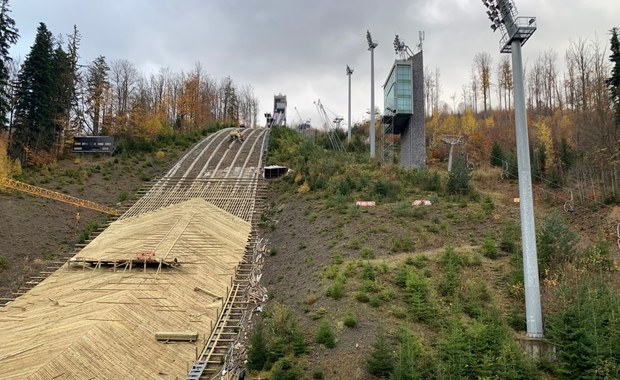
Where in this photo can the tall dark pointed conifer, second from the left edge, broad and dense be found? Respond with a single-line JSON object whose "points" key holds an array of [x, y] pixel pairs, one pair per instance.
{"points": [[34, 111]]}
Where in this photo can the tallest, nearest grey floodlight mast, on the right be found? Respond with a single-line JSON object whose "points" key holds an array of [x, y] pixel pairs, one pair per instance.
{"points": [[515, 32]]}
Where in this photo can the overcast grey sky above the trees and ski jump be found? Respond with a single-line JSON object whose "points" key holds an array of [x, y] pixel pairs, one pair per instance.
{"points": [[301, 48]]}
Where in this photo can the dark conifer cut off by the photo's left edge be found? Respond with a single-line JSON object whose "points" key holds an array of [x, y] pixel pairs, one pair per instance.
{"points": [[8, 37]]}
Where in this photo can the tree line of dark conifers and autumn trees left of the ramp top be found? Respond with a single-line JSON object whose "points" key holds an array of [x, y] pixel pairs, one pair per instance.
{"points": [[52, 96]]}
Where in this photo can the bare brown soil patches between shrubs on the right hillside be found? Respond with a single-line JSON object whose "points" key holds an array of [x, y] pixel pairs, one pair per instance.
{"points": [[306, 235]]}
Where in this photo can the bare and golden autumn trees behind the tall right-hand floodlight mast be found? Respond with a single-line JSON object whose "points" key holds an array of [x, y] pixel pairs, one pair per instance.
{"points": [[579, 107]]}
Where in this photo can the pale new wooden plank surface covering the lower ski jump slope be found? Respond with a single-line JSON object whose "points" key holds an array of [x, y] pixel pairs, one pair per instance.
{"points": [[85, 323]]}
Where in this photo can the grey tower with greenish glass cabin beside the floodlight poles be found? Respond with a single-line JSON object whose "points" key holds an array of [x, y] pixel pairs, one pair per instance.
{"points": [[403, 93]]}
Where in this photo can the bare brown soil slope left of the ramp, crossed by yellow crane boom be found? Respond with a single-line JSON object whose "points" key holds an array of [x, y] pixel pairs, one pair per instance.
{"points": [[35, 231]]}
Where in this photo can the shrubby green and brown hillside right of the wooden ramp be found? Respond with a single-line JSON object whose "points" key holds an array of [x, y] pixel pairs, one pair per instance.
{"points": [[404, 292]]}
